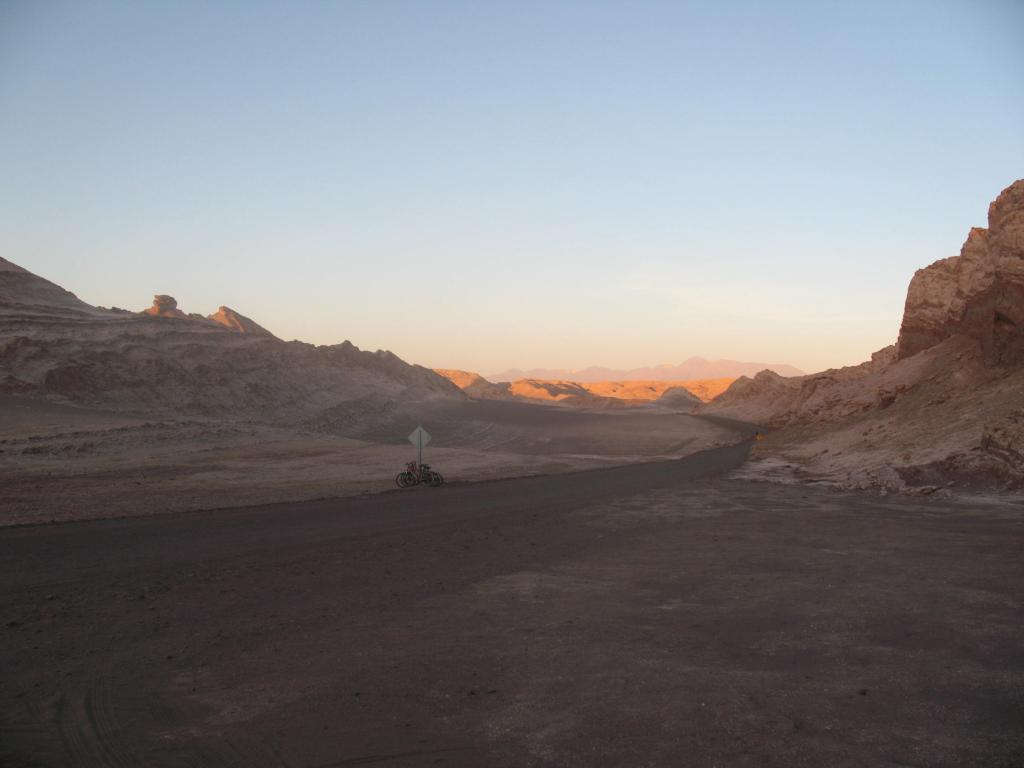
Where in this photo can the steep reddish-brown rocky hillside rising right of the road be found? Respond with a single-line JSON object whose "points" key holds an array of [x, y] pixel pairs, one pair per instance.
{"points": [[944, 407]]}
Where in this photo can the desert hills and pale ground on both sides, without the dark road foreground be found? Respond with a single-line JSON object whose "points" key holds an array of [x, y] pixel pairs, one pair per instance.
{"points": [[192, 412]]}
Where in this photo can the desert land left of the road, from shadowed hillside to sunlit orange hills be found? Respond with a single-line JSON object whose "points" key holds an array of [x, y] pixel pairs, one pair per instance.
{"points": [[191, 412]]}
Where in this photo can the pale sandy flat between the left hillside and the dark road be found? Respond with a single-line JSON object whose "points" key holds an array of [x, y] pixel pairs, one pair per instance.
{"points": [[66, 463]]}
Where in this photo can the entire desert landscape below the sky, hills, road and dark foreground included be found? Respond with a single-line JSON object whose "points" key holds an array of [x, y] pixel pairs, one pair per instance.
{"points": [[264, 465]]}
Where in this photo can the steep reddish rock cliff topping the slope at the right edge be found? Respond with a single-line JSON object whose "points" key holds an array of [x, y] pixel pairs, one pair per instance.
{"points": [[979, 294]]}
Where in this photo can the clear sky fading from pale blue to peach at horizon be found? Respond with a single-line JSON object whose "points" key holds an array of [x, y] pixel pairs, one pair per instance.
{"points": [[486, 186]]}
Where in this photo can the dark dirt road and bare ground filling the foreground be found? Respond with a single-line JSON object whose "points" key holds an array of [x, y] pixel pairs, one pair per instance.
{"points": [[652, 615]]}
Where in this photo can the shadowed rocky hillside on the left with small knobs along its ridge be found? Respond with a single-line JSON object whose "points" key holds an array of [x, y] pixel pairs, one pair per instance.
{"points": [[162, 361]]}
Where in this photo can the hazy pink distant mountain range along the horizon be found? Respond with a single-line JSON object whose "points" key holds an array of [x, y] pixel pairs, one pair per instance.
{"points": [[695, 368]]}
